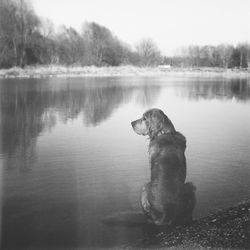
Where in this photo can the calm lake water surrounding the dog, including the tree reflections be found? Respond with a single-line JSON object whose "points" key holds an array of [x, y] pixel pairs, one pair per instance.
{"points": [[70, 157]]}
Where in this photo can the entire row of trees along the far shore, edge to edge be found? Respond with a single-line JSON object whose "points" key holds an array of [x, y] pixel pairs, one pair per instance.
{"points": [[26, 39]]}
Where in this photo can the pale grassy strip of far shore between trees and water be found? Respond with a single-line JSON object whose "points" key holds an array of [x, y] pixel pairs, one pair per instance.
{"points": [[93, 71]]}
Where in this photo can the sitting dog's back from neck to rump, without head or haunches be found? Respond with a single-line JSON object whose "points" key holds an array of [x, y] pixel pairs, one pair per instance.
{"points": [[168, 174]]}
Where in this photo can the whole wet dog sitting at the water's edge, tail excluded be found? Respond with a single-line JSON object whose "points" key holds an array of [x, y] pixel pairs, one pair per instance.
{"points": [[166, 199]]}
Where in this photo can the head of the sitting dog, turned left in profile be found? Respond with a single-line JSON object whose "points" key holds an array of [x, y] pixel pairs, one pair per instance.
{"points": [[153, 123]]}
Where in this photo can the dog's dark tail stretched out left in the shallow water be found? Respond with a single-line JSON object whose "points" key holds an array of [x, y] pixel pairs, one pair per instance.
{"points": [[125, 218]]}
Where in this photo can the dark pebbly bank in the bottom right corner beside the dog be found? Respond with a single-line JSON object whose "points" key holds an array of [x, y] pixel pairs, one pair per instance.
{"points": [[225, 229]]}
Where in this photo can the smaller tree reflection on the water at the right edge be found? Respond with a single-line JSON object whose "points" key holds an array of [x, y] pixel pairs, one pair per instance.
{"points": [[238, 89]]}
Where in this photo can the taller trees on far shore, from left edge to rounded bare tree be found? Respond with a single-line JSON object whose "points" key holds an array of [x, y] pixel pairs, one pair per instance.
{"points": [[26, 39]]}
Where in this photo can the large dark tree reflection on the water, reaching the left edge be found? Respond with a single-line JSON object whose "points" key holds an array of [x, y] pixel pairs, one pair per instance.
{"points": [[28, 108]]}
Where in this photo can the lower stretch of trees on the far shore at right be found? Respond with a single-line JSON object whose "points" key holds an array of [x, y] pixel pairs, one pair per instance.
{"points": [[223, 56]]}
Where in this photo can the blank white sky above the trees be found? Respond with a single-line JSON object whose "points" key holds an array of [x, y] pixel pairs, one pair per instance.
{"points": [[170, 23]]}
